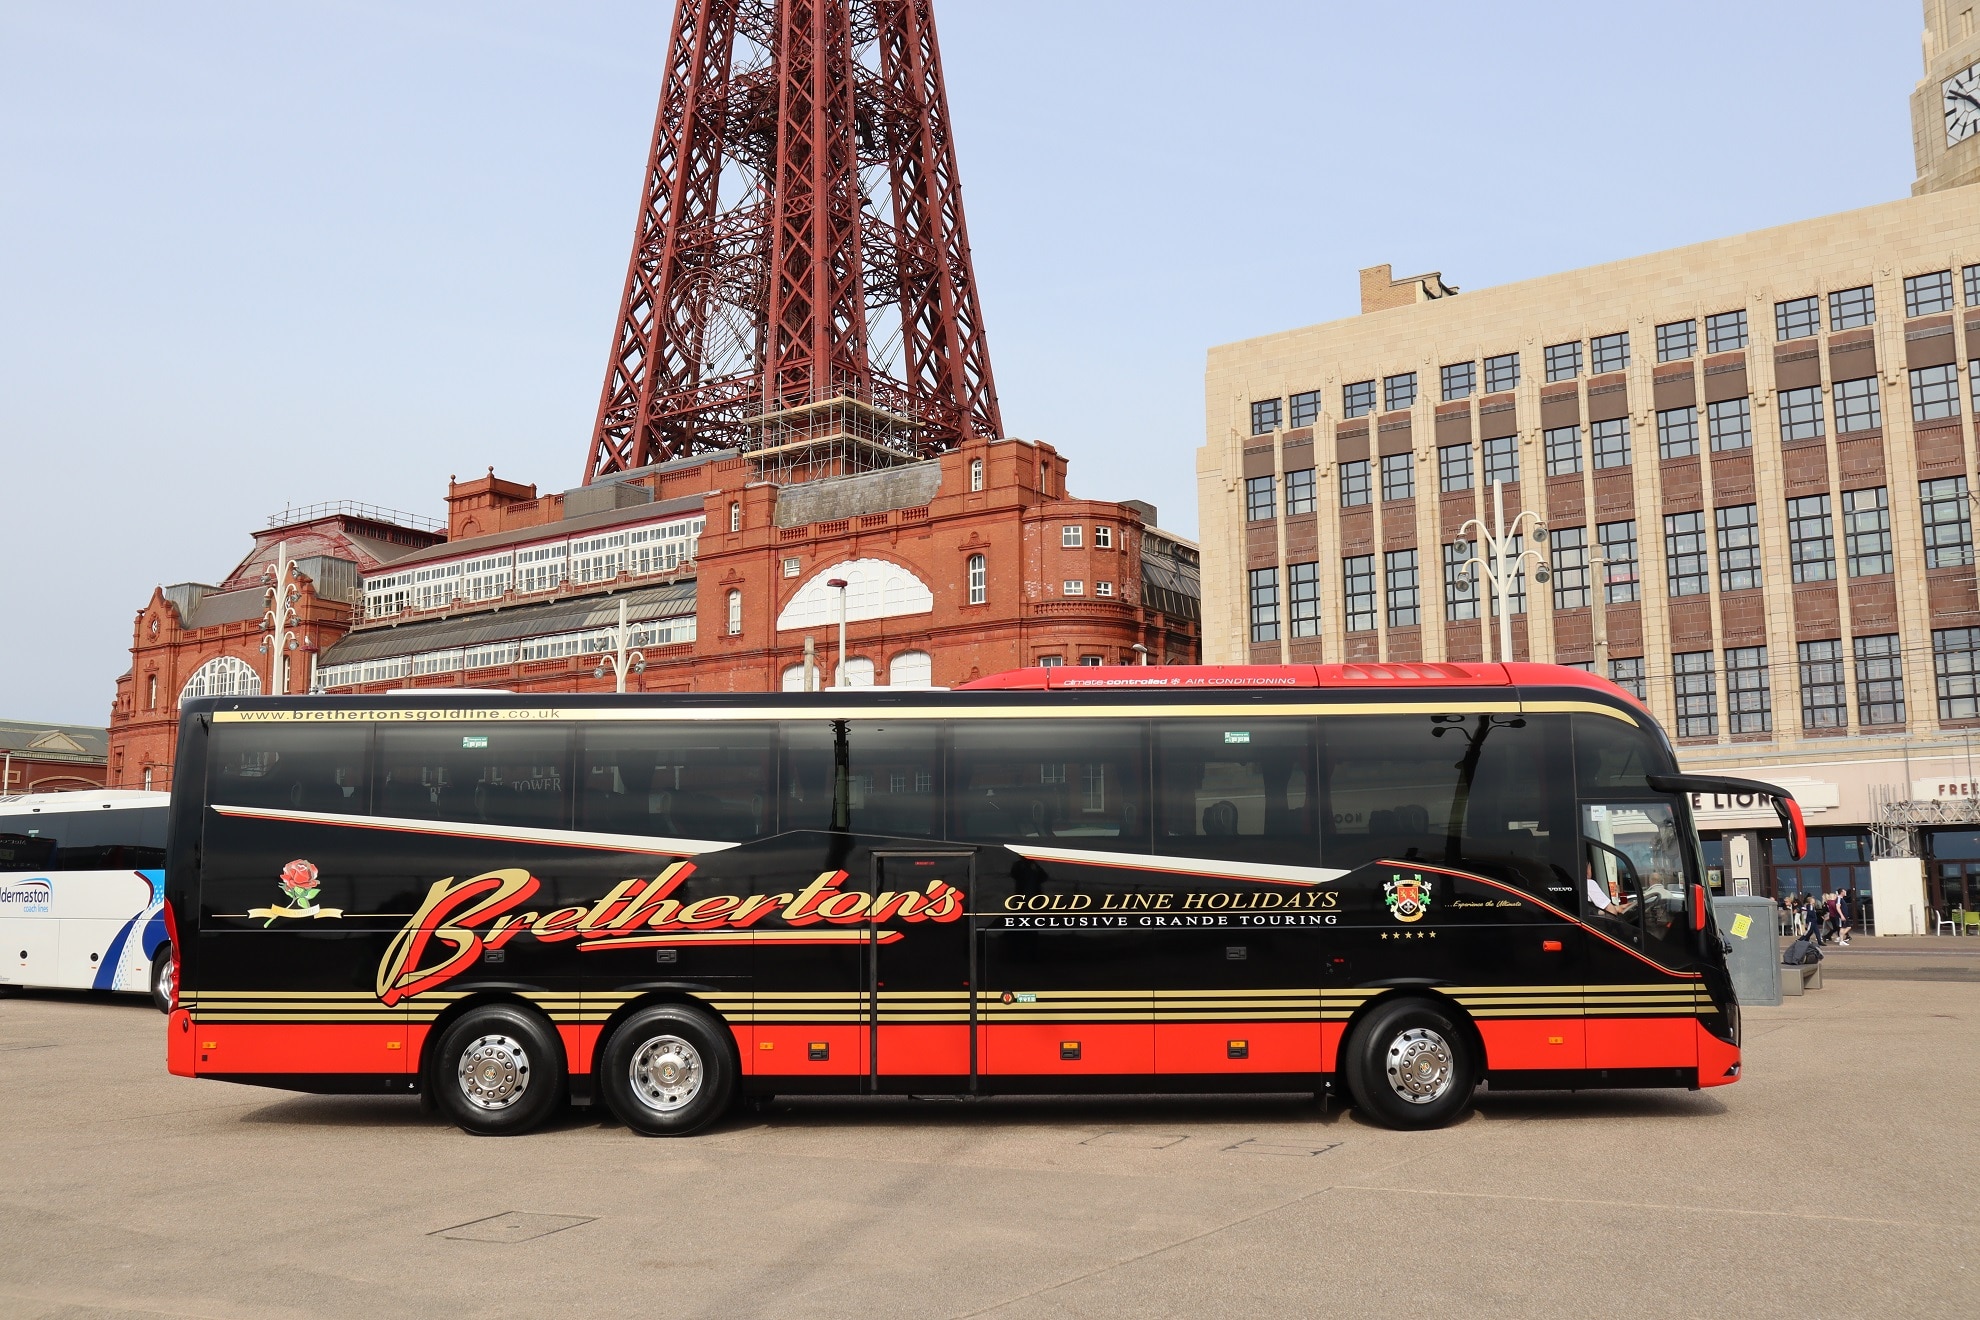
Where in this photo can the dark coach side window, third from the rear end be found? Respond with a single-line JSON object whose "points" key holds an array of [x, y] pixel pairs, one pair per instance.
{"points": [[678, 781]]}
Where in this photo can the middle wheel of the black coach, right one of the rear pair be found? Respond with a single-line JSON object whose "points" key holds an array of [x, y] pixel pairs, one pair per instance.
{"points": [[668, 1072]]}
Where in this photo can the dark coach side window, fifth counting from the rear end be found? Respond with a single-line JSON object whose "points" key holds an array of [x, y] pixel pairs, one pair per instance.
{"points": [[1054, 783]]}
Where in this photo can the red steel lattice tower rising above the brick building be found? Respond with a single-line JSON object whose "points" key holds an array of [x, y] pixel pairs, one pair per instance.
{"points": [[801, 262]]}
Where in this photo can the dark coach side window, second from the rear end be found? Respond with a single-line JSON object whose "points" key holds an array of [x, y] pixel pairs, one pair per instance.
{"points": [[492, 775]]}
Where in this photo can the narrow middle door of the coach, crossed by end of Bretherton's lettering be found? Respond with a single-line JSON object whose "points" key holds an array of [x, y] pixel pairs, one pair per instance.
{"points": [[922, 977]]}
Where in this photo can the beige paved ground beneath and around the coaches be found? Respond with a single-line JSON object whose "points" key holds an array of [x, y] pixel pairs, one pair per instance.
{"points": [[1836, 1180]]}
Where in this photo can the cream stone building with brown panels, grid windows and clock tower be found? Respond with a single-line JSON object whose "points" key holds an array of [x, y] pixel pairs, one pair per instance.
{"points": [[1753, 462]]}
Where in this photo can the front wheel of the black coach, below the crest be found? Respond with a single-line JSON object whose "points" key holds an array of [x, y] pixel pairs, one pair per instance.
{"points": [[1411, 1066]]}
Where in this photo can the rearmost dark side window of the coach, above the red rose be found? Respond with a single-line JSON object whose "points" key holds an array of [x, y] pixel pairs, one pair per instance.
{"points": [[288, 769]]}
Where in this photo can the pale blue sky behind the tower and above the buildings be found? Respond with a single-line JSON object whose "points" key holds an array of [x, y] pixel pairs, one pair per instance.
{"points": [[340, 250]]}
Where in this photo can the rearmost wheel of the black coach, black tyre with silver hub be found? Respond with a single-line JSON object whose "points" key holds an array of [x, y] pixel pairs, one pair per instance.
{"points": [[498, 1072]]}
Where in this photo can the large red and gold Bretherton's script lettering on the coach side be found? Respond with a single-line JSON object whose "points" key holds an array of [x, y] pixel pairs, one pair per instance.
{"points": [[460, 919]]}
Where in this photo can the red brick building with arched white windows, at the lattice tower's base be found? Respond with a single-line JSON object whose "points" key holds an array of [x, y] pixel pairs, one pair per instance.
{"points": [[957, 567]]}
